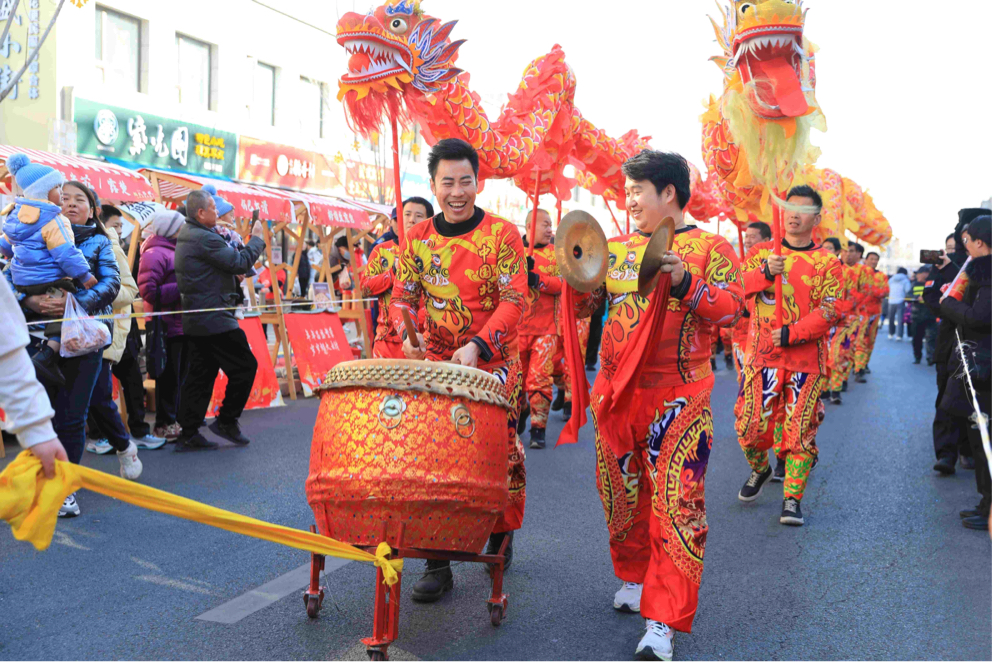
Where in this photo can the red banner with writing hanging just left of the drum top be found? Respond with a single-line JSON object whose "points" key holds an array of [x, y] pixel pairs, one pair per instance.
{"points": [[319, 343]]}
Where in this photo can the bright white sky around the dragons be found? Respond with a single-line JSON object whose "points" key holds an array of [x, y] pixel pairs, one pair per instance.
{"points": [[906, 87]]}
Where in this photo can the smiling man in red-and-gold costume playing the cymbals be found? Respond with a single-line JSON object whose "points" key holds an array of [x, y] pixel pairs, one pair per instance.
{"points": [[651, 459]]}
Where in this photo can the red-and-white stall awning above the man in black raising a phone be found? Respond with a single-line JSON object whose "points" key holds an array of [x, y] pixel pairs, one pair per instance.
{"points": [[174, 187]]}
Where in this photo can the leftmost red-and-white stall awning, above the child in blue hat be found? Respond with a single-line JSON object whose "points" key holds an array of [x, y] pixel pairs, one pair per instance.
{"points": [[110, 182]]}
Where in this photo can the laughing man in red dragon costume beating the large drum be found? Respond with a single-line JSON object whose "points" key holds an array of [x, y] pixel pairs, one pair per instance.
{"points": [[467, 267]]}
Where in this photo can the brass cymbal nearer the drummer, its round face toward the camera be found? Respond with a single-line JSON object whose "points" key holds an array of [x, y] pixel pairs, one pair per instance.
{"points": [[580, 248]]}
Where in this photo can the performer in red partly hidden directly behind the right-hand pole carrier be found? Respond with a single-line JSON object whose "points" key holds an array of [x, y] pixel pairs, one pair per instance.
{"points": [[842, 337]]}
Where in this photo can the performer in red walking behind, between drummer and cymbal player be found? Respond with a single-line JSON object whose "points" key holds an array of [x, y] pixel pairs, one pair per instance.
{"points": [[538, 329]]}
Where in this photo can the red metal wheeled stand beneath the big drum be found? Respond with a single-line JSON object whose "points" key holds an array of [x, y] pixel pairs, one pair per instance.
{"points": [[385, 627]]}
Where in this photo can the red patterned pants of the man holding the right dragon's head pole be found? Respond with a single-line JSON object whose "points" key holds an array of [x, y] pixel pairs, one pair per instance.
{"points": [[780, 409]]}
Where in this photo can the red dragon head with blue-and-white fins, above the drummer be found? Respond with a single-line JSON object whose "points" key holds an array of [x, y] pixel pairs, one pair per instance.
{"points": [[394, 49]]}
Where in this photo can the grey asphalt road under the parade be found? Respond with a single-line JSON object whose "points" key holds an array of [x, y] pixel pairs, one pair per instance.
{"points": [[882, 570]]}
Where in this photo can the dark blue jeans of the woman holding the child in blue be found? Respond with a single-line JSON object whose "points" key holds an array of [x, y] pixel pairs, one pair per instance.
{"points": [[72, 402]]}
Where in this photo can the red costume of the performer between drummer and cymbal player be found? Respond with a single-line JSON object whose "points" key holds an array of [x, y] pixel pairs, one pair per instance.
{"points": [[539, 334]]}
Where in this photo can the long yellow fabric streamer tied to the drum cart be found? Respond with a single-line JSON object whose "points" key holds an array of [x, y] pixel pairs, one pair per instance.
{"points": [[30, 503]]}
